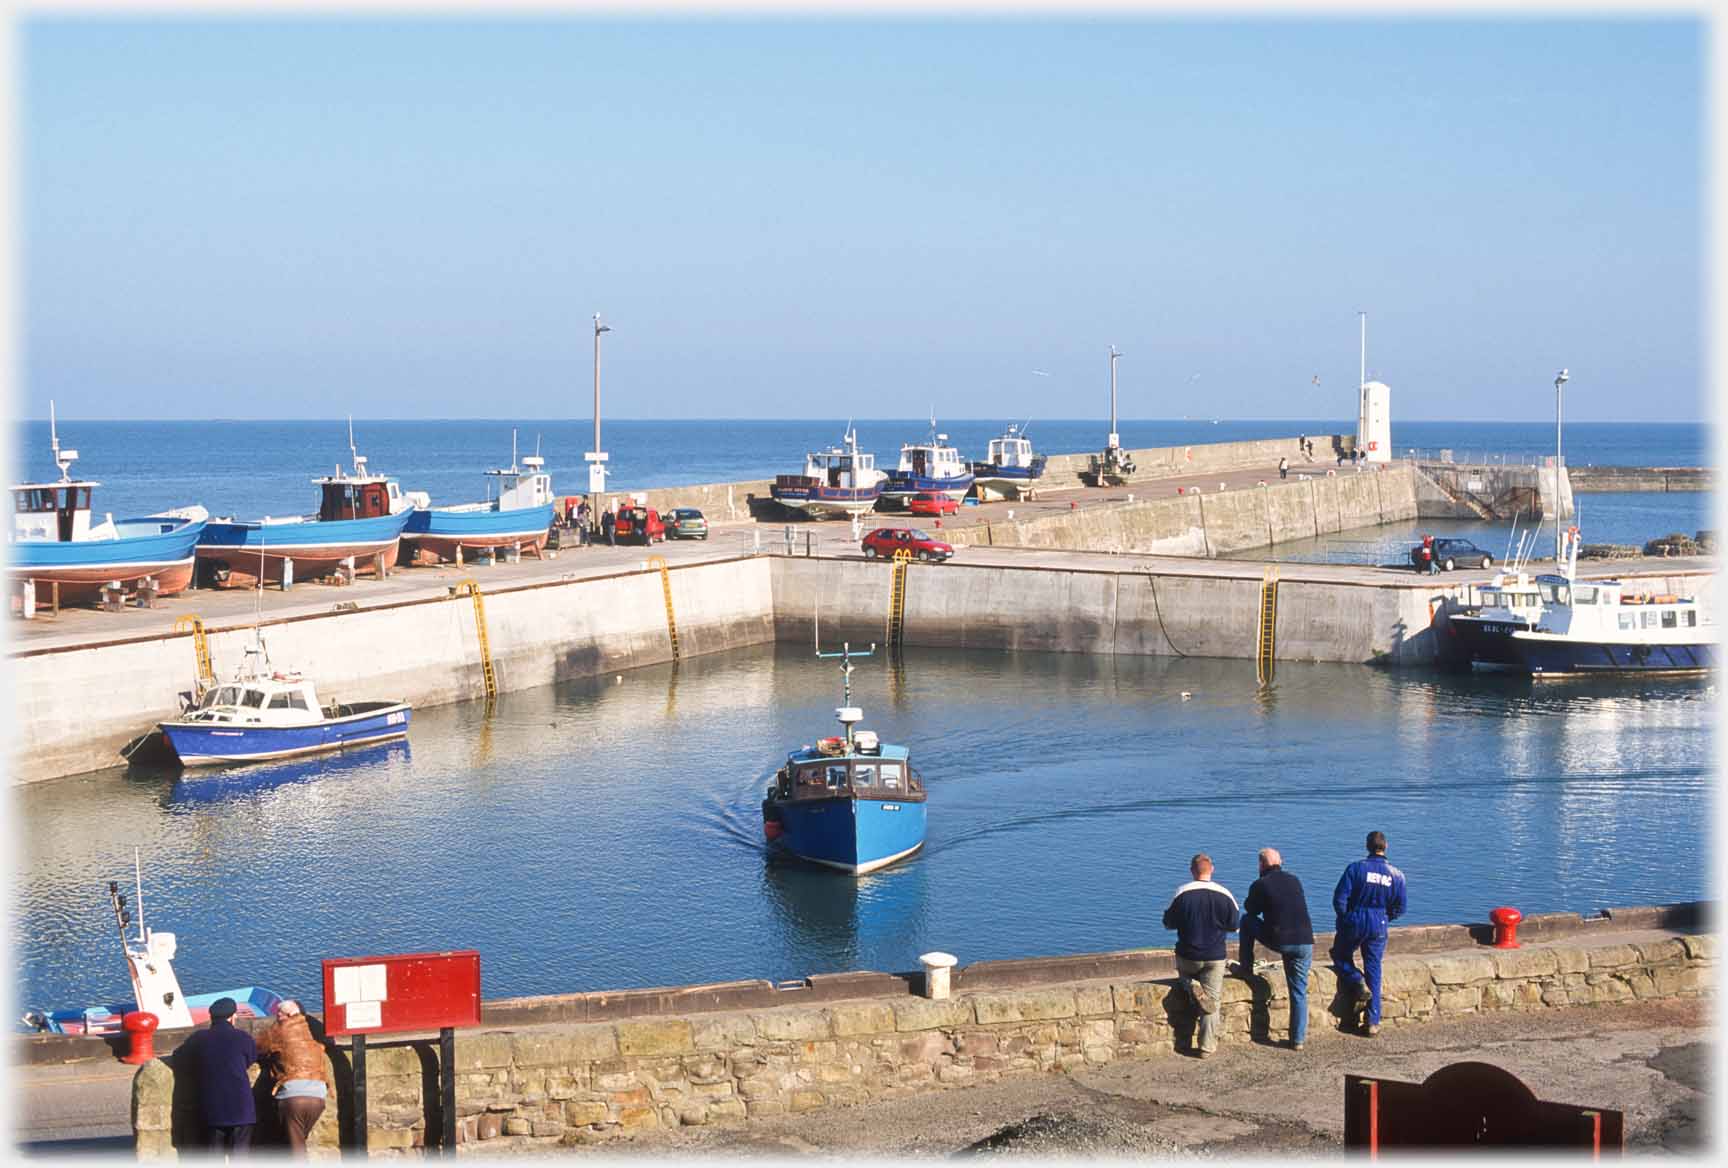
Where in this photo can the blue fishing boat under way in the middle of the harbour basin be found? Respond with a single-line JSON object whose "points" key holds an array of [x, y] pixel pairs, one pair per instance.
{"points": [[851, 803]]}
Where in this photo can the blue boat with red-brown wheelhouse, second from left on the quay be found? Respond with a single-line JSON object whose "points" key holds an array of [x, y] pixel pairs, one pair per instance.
{"points": [[360, 517]]}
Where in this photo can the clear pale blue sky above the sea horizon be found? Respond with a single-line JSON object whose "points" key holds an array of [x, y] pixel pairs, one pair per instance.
{"points": [[841, 217]]}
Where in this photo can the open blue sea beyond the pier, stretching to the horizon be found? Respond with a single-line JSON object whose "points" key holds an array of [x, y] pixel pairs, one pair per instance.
{"points": [[250, 469]]}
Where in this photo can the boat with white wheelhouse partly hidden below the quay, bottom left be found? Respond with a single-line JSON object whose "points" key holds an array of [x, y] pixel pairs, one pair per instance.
{"points": [[155, 987]]}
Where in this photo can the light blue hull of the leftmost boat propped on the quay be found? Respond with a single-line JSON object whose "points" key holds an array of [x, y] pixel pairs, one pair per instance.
{"points": [[82, 569]]}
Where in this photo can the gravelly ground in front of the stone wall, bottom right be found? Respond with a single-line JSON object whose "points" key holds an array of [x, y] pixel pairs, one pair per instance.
{"points": [[1649, 1060]]}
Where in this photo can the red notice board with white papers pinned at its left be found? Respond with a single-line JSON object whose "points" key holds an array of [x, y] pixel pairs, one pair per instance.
{"points": [[371, 996]]}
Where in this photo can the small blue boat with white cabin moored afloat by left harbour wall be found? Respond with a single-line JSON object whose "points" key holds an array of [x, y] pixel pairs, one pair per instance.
{"points": [[274, 714]]}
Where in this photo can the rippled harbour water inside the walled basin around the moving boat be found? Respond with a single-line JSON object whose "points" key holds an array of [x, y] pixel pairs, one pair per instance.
{"points": [[606, 834]]}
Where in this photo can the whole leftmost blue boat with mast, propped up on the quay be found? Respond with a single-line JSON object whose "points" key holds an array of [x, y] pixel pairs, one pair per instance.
{"points": [[56, 542]]}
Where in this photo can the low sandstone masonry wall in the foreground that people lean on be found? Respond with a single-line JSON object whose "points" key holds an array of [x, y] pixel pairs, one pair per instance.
{"points": [[595, 1082]]}
